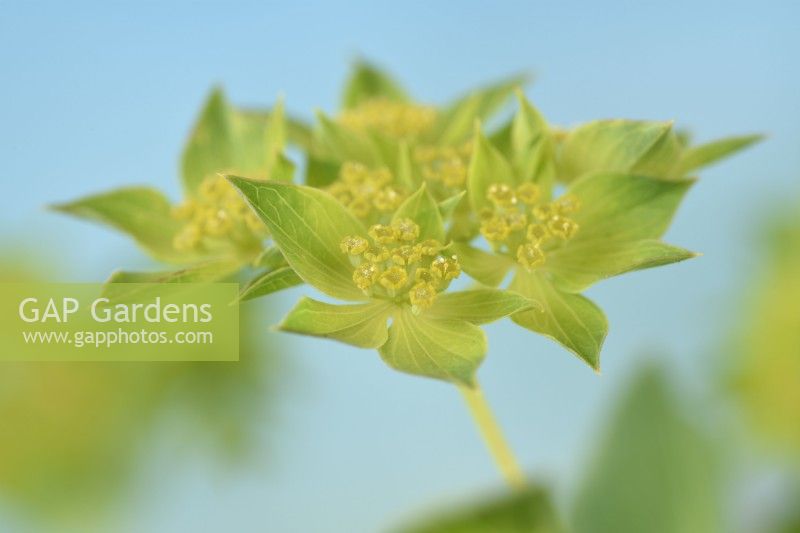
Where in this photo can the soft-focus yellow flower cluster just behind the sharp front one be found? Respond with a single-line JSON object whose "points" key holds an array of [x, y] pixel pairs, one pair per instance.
{"points": [[366, 192]]}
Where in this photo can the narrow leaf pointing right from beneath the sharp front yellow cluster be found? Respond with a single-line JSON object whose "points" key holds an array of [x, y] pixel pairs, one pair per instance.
{"points": [[479, 306]]}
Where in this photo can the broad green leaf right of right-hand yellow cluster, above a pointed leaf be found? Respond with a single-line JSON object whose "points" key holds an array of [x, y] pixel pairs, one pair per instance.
{"points": [[621, 207]]}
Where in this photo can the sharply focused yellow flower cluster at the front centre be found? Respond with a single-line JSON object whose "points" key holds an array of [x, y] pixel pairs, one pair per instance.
{"points": [[392, 264]]}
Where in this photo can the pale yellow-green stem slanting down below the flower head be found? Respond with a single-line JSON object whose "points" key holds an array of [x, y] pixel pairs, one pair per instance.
{"points": [[493, 436]]}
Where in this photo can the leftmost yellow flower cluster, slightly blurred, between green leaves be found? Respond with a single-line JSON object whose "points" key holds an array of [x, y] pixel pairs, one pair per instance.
{"points": [[217, 211]]}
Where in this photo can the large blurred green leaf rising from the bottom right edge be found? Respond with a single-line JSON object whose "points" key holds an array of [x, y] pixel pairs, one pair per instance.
{"points": [[653, 470]]}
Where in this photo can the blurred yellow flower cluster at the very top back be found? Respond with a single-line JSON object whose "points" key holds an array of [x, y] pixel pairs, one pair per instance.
{"points": [[391, 118]]}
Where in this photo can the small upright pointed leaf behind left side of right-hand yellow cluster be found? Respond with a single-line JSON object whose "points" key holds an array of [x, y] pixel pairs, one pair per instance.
{"points": [[487, 167]]}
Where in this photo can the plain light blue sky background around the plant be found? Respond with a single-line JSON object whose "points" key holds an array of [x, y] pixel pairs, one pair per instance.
{"points": [[96, 96]]}
